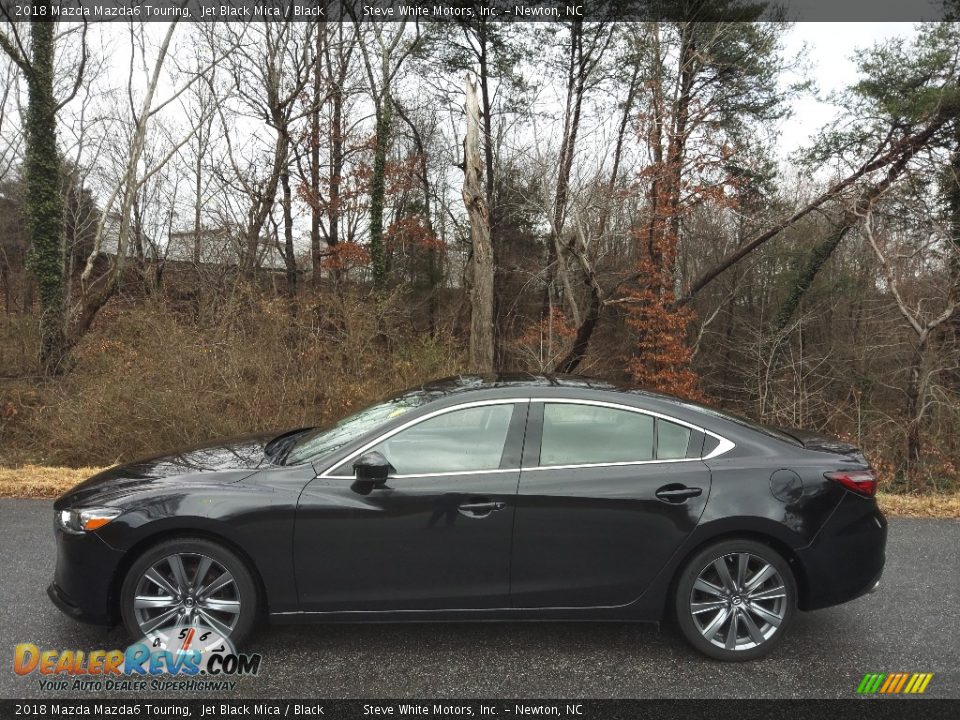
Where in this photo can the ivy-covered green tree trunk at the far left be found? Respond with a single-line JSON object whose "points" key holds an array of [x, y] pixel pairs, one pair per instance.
{"points": [[44, 203]]}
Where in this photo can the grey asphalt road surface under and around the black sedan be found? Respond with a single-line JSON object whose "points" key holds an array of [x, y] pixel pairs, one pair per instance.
{"points": [[911, 625]]}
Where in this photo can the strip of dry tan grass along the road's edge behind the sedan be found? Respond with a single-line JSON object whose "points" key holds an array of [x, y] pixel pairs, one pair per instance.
{"points": [[40, 481]]}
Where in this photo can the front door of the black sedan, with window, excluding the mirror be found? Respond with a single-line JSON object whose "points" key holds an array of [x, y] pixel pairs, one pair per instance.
{"points": [[436, 536]]}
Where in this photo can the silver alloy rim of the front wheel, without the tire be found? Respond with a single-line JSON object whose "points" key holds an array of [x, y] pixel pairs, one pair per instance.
{"points": [[186, 590]]}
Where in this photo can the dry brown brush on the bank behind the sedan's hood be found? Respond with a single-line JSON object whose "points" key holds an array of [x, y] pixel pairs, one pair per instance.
{"points": [[148, 378]]}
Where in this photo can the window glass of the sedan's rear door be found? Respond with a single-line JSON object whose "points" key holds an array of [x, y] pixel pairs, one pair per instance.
{"points": [[575, 434]]}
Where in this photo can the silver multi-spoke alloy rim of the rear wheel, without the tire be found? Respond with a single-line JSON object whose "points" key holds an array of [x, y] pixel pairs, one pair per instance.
{"points": [[738, 601]]}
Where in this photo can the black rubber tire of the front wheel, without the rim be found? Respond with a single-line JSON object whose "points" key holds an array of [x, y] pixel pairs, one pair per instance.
{"points": [[245, 584]]}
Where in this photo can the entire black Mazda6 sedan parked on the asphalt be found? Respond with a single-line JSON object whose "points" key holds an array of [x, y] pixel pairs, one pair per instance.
{"points": [[482, 498]]}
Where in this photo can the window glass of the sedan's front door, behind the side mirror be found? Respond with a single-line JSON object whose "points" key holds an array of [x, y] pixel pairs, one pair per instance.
{"points": [[464, 440]]}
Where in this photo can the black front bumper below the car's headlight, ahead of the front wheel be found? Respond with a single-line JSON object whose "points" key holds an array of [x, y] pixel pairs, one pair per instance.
{"points": [[83, 583]]}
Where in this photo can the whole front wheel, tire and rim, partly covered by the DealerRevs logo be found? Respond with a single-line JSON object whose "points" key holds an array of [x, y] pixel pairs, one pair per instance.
{"points": [[189, 588]]}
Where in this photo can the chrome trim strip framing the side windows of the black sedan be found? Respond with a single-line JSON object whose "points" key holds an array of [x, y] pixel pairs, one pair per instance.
{"points": [[723, 444]]}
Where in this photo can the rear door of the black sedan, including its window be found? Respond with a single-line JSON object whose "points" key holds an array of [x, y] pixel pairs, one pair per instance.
{"points": [[607, 493]]}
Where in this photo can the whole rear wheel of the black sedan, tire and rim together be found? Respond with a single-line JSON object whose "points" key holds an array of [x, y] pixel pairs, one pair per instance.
{"points": [[742, 609]]}
